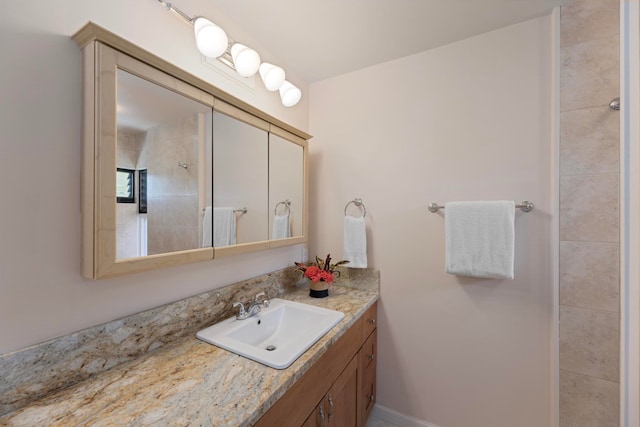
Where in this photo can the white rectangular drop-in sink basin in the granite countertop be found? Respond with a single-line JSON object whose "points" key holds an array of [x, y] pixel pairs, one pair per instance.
{"points": [[276, 336]]}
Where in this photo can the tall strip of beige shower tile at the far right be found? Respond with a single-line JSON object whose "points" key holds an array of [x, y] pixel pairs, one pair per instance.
{"points": [[589, 214]]}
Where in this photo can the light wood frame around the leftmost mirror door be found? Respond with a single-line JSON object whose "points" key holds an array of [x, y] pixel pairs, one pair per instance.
{"points": [[100, 165]]}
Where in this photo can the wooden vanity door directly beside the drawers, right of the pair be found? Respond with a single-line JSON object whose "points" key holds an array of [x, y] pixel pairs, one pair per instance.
{"points": [[341, 402]]}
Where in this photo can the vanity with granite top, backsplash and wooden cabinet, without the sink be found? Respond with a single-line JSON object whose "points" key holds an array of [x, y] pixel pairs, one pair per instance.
{"points": [[176, 379]]}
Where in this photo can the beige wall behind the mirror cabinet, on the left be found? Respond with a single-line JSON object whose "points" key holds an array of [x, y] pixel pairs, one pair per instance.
{"points": [[42, 292]]}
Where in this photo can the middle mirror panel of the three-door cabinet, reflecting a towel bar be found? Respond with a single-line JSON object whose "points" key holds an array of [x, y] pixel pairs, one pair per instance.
{"points": [[240, 194]]}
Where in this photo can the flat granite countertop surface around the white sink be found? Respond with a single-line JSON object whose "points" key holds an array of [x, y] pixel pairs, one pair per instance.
{"points": [[188, 382]]}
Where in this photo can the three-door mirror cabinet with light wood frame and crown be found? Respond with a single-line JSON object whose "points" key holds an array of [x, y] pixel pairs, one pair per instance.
{"points": [[177, 171]]}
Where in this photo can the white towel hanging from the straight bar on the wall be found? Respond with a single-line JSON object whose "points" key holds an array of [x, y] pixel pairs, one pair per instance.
{"points": [[480, 239]]}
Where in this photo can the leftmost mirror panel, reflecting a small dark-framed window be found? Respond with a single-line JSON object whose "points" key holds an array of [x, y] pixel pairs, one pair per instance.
{"points": [[163, 178]]}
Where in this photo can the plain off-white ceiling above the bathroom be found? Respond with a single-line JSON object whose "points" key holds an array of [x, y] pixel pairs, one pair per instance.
{"points": [[319, 39]]}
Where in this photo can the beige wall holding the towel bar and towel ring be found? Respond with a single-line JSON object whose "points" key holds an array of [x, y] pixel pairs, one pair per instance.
{"points": [[468, 121]]}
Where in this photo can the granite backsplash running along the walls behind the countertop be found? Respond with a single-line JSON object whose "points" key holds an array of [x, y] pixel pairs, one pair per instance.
{"points": [[31, 373]]}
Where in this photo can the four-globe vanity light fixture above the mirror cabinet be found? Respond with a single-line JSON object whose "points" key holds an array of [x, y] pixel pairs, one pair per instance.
{"points": [[213, 42]]}
